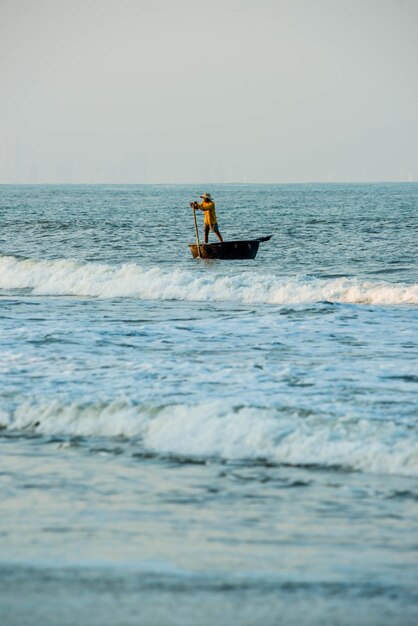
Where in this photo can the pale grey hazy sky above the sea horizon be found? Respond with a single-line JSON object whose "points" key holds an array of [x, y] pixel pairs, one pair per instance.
{"points": [[230, 91]]}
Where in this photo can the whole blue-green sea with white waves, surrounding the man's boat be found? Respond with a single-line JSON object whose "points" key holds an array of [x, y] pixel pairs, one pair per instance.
{"points": [[209, 442]]}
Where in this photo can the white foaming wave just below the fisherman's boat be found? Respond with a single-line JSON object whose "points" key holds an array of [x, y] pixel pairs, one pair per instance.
{"points": [[67, 277]]}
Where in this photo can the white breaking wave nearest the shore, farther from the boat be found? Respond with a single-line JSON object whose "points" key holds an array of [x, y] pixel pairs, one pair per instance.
{"points": [[228, 432]]}
